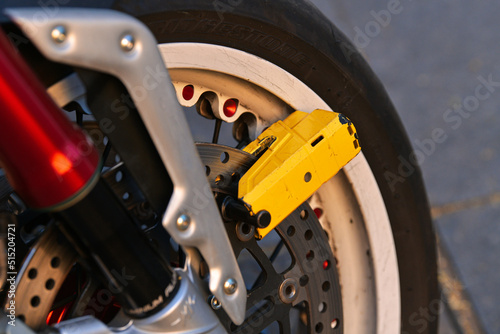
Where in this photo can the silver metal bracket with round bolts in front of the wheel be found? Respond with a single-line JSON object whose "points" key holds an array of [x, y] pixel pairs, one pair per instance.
{"points": [[118, 44]]}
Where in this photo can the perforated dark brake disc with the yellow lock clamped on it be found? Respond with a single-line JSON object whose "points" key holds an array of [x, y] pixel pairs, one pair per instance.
{"points": [[305, 296]]}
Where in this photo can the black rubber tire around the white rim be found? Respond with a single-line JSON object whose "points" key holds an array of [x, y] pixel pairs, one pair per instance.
{"points": [[328, 63]]}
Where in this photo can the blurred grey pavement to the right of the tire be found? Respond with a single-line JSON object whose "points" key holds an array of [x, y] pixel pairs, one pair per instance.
{"points": [[432, 55]]}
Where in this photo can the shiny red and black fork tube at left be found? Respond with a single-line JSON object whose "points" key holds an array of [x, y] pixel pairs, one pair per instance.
{"points": [[53, 166]]}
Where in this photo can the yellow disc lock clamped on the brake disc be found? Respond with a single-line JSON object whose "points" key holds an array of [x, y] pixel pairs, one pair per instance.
{"points": [[297, 156]]}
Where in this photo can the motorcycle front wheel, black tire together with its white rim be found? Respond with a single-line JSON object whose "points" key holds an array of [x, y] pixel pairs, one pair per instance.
{"points": [[280, 56]]}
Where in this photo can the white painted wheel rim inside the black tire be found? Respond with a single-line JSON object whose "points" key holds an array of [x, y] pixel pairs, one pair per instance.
{"points": [[365, 249]]}
